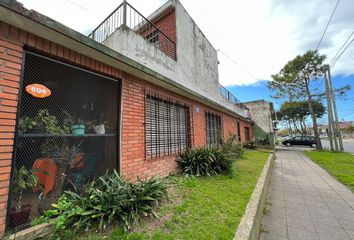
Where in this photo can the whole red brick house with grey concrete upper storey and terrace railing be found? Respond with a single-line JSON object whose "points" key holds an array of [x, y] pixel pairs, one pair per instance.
{"points": [[129, 97]]}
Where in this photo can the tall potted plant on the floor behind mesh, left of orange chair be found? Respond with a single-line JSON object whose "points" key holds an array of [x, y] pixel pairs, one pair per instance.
{"points": [[23, 179]]}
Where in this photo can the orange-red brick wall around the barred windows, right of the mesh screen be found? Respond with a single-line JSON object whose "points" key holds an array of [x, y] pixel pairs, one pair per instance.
{"points": [[133, 132]]}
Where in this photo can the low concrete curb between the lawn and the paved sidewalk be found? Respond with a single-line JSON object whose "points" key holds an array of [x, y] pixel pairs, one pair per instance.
{"points": [[250, 225]]}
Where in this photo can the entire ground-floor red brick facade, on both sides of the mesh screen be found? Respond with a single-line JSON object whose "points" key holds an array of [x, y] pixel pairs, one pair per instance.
{"points": [[133, 162]]}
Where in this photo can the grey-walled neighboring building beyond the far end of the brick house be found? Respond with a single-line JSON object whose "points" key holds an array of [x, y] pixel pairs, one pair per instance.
{"points": [[263, 115]]}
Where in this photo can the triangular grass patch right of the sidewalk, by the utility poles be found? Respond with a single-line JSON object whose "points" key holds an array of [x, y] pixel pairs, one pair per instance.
{"points": [[339, 165]]}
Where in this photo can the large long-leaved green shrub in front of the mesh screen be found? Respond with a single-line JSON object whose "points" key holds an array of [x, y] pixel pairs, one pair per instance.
{"points": [[109, 198]]}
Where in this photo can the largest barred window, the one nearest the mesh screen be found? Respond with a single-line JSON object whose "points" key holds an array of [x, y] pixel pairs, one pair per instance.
{"points": [[167, 127]]}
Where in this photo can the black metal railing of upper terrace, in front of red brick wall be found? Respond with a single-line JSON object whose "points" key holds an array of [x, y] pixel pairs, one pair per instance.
{"points": [[125, 15]]}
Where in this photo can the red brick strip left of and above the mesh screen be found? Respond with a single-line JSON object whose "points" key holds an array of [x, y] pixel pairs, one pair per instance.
{"points": [[12, 41]]}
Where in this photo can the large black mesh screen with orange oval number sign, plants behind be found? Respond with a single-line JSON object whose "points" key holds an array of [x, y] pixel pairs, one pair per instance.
{"points": [[66, 135]]}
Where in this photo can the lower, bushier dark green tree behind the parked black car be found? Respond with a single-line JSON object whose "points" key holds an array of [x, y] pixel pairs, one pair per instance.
{"points": [[296, 114]]}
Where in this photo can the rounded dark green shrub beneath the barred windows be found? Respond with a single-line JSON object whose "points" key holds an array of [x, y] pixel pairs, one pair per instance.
{"points": [[205, 161]]}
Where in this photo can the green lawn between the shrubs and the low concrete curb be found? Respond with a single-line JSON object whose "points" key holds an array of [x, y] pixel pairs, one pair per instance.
{"points": [[204, 207]]}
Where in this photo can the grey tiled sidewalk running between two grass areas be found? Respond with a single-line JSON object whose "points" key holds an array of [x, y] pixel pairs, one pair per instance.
{"points": [[305, 202]]}
